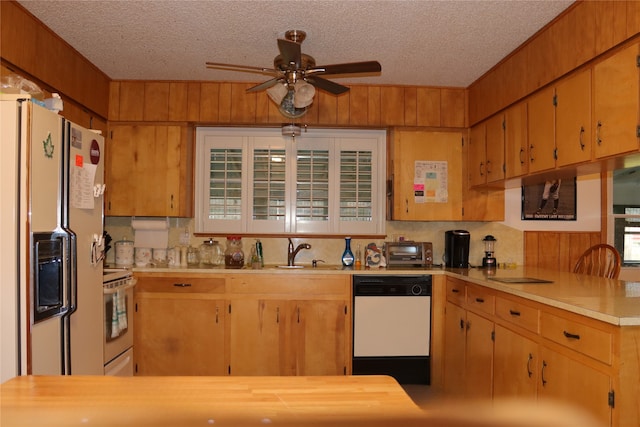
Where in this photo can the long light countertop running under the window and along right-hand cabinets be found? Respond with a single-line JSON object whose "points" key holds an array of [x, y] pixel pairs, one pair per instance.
{"points": [[613, 301]]}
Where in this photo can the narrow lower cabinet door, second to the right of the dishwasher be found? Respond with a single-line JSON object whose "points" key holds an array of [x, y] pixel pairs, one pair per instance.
{"points": [[479, 357]]}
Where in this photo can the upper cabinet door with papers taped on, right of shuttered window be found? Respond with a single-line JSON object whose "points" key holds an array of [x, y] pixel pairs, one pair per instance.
{"points": [[412, 152]]}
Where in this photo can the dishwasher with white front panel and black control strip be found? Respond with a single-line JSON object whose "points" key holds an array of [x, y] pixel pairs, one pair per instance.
{"points": [[392, 326]]}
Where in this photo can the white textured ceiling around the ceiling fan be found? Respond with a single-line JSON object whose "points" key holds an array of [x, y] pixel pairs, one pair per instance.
{"points": [[418, 42]]}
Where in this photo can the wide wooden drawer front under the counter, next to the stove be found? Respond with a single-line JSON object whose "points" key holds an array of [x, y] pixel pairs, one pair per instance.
{"points": [[181, 285]]}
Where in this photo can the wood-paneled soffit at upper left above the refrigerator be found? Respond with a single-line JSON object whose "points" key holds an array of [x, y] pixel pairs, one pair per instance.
{"points": [[31, 48]]}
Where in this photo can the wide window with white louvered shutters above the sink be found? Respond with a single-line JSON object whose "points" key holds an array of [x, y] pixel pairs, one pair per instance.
{"points": [[260, 182]]}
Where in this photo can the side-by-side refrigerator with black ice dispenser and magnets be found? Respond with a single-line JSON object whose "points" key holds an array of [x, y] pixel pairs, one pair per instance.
{"points": [[52, 247]]}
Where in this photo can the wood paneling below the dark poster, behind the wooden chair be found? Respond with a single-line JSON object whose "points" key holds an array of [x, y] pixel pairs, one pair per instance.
{"points": [[557, 250]]}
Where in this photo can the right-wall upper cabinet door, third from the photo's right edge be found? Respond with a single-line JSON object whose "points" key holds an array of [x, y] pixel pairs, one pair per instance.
{"points": [[541, 131]]}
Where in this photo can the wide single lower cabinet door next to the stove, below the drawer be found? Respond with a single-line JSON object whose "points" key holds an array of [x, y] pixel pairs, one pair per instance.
{"points": [[177, 335]]}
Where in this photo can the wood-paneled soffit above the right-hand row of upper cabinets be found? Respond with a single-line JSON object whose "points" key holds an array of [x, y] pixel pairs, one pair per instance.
{"points": [[584, 31]]}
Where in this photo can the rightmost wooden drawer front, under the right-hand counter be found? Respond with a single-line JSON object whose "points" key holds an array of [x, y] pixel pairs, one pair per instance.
{"points": [[590, 341]]}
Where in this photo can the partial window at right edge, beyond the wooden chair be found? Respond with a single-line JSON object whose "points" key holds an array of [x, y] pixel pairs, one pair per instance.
{"points": [[626, 215]]}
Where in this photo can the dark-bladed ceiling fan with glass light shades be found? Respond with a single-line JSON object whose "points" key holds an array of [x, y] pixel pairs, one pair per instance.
{"points": [[296, 75]]}
